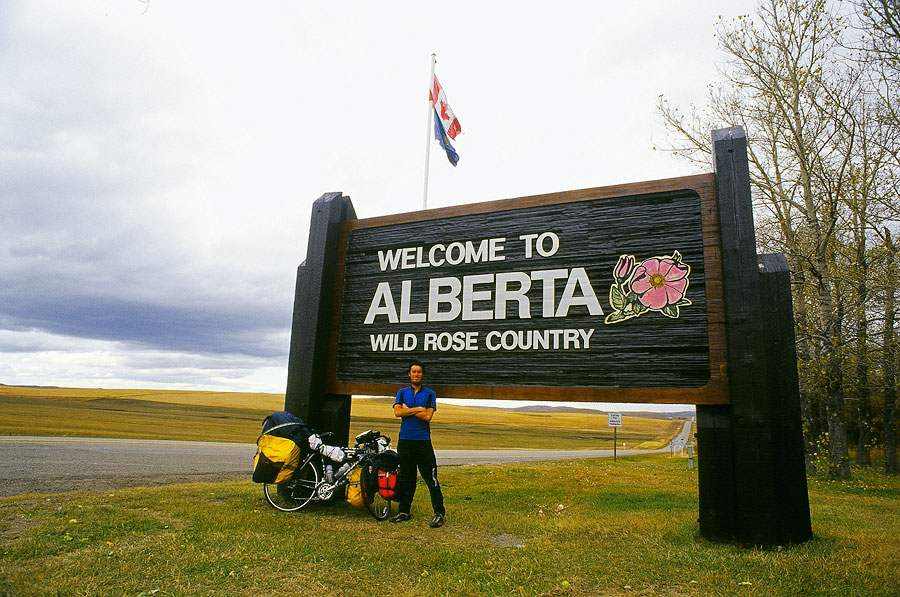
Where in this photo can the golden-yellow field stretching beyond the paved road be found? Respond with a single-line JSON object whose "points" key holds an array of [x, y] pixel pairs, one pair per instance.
{"points": [[236, 417]]}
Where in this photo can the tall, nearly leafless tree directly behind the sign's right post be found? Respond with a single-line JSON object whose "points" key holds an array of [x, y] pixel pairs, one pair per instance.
{"points": [[790, 80]]}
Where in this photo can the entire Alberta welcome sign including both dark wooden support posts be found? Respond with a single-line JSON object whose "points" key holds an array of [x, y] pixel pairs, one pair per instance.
{"points": [[647, 293]]}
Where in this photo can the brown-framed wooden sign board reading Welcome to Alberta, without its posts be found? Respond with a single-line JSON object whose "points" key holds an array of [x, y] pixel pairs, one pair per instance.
{"points": [[607, 294]]}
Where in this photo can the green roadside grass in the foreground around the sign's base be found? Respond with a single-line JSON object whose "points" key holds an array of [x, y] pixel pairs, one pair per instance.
{"points": [[576, 528]]}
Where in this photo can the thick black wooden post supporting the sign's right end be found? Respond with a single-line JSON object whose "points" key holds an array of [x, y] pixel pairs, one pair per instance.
{"points": [[741, 474]]}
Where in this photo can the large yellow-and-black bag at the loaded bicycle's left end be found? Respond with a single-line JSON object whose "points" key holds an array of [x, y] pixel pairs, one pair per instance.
{"points": [[283, 439]]}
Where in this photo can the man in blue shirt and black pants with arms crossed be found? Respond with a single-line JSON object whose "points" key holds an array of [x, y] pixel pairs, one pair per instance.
{"points": [[415, 405]]}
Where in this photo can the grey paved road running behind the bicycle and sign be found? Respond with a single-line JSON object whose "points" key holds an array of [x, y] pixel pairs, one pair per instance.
{"points": [[55, 464]]}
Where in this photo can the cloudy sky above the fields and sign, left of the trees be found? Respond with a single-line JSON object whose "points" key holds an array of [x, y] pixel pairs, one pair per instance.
{"points": [[159, 160]]}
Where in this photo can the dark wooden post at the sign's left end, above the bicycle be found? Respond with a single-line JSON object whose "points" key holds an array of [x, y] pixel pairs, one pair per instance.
{"points": [[311, 328]]}
